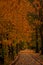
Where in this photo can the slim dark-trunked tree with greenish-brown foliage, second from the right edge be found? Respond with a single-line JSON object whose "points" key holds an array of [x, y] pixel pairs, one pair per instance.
{"points": [[31, 18]]}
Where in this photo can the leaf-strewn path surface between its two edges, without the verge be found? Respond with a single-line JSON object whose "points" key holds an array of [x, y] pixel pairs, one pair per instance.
{"points": [[26, 58]]}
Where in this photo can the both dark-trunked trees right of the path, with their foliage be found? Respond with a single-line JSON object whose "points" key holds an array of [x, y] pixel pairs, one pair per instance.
{"points": [[37, 15]]}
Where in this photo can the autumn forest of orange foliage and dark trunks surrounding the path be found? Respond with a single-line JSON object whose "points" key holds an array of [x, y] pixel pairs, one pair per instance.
{"points": [[21, 27]]}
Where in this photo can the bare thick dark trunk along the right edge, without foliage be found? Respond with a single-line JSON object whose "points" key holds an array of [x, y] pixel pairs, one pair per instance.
{"points": [[41, 27]]}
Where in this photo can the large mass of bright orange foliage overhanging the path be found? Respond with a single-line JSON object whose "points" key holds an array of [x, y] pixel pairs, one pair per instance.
{"points": [[16, 13]]}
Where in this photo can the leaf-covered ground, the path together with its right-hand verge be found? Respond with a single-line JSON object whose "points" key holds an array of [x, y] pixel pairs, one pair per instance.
{"points": [[29, 57]]}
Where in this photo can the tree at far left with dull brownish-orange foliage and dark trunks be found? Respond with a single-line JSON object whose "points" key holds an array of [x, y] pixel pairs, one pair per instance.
{"points": [[7, 29]]}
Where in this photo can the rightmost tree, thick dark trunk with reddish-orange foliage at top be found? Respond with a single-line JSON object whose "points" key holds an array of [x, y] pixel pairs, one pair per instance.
{"points": [[38, 6]]}
